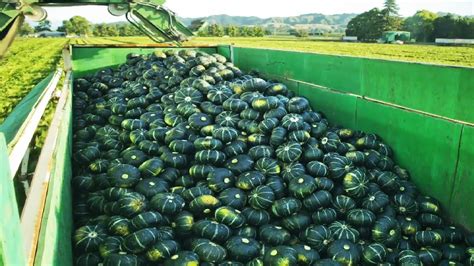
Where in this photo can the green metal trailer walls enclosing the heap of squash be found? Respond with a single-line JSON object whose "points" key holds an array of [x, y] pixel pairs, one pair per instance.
{"points": [[425, 112]]}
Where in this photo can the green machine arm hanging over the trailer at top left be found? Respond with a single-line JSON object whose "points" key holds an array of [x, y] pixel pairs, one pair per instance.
{"points": [[149, 16]]}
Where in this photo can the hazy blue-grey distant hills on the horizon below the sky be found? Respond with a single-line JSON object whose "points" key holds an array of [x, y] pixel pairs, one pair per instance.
{"points": [[314, 21]]}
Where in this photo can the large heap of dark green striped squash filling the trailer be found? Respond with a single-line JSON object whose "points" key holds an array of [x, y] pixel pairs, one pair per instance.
{"points": [[180, 158]]}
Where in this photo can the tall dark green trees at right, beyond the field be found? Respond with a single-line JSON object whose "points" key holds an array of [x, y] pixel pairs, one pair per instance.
{"points": [[425, 26]]}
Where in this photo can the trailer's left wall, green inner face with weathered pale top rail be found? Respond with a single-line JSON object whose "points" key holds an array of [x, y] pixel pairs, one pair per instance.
{"points": [[55, 245]]}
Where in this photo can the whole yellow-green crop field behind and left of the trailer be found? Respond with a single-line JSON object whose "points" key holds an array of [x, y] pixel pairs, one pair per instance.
{"points": [[30, 60]]}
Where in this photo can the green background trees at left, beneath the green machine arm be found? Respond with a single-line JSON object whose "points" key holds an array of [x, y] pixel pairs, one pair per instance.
{"points": [[80, 26]]}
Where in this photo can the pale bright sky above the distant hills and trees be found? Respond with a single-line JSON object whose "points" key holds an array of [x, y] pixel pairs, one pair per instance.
{"points": [[268, 8]]}
